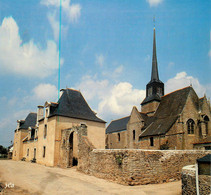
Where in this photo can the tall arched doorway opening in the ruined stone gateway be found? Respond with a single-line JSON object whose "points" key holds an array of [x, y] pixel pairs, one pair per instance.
{"points": [[73, 149]]}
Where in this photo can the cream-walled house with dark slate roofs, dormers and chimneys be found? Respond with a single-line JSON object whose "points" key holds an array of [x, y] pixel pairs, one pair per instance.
{"points": [[52, 137]]}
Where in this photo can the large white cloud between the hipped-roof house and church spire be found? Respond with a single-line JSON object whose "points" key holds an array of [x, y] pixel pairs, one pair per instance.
{"points": [[112, 99]]}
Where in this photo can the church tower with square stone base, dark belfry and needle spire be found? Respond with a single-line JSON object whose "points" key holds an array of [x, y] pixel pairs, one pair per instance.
{"points": [[155, 88]]}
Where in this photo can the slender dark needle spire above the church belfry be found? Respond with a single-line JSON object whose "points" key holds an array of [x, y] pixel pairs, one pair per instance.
{"points": [[154, 74]]}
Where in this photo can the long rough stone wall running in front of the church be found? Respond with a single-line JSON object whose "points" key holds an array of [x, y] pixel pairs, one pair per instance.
{"points": [[135, 167]]}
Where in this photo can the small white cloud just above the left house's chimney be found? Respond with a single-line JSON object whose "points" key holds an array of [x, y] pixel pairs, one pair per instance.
{"points": [[45, 92]]}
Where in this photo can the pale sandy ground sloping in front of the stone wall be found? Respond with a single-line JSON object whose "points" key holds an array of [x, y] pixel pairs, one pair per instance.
{"points": [[30, 178]]}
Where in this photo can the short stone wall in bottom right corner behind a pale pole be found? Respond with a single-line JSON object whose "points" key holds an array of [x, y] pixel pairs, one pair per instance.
{"points": [[189, 182]]}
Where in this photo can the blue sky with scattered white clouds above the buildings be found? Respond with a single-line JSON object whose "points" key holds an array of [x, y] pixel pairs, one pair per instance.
{"points": [[106, 53]]}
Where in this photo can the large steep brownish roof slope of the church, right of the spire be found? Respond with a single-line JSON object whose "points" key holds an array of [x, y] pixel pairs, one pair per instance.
{"points": [[168, 111]]}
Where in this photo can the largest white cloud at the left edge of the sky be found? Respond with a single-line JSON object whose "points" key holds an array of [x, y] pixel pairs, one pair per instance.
{"points": [[25, 59]]}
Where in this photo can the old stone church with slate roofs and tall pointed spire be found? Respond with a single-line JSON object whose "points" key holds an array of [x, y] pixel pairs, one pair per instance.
{"points": [[179, 120]]}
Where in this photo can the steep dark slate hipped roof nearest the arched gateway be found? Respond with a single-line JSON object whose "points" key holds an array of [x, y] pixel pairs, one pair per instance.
{"points": [[72, 104]]}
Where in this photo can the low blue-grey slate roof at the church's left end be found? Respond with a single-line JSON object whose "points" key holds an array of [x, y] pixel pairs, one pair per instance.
{"points": [[118, 125]]}
